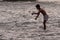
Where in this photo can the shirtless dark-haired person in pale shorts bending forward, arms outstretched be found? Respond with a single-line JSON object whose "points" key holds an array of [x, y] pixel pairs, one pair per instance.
{"points": [[40, 10]]}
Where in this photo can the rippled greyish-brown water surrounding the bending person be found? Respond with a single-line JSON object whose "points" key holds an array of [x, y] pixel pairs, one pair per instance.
{"points": [[17, 23]]}
